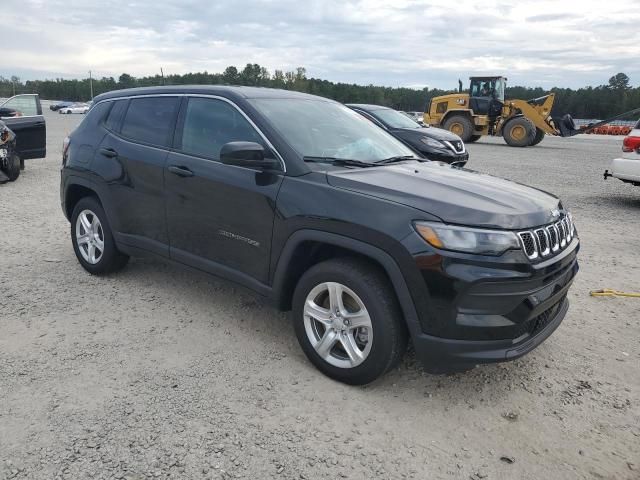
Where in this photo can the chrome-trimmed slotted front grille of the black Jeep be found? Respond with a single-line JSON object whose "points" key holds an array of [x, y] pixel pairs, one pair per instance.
{"points": [[546, 241]]}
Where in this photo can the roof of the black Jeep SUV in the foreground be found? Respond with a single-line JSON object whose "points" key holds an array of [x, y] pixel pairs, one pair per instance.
{"points": [[221, 90]]}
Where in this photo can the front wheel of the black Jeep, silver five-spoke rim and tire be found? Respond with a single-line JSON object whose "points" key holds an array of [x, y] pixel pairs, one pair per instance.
{"points": [[348, 322]]}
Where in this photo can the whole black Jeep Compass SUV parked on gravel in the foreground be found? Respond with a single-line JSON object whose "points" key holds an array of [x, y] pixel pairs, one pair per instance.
{"points": [[306, 202]]}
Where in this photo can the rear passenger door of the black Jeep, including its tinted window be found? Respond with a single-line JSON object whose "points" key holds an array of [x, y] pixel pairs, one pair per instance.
{"points": [[131, 160]]}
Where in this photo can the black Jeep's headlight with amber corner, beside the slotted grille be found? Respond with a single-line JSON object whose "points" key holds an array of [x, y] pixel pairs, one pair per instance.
{"points": [[466, 239]]}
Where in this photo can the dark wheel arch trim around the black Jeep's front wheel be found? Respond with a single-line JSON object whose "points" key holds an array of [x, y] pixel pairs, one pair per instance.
{"points": [[306, 248]]}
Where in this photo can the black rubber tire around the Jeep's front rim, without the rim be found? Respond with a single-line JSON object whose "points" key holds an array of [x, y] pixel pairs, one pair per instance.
{"points": [[389, 331]]}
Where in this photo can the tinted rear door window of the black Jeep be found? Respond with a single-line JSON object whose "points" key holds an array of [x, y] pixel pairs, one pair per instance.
{"points": [[150, 120]]}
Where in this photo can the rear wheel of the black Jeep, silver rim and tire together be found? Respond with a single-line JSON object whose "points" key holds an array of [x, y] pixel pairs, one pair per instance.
{"points": [[93, 240]]}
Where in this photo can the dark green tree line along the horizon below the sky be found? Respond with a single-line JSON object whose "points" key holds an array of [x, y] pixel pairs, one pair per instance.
{"points": [[589, 102]]}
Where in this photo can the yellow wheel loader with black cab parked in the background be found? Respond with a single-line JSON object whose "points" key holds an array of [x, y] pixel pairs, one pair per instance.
{"points": [[484, 111]]}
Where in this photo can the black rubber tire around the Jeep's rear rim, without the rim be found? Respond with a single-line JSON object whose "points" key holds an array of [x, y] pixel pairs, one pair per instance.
{"points": [[111, 259]]}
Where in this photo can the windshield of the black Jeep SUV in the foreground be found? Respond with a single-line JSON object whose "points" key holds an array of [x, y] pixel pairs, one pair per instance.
{"points": [[316, 128]]}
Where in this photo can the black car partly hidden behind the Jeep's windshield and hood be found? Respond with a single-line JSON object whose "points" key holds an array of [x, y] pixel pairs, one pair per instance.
{"points": [[432, 143]]}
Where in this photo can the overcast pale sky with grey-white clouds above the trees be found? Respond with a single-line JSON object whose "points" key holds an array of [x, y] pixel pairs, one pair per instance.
{"points": [[394, 42]]}
